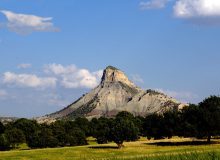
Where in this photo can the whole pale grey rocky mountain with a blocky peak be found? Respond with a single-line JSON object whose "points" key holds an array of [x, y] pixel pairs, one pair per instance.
{"points": [[115, 93]]}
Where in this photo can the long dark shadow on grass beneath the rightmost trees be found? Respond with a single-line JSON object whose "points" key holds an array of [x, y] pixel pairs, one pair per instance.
{"points": [[187, 143]]}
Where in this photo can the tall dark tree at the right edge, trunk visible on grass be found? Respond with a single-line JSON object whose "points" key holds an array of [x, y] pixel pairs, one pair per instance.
{"points": [[209, 124]]}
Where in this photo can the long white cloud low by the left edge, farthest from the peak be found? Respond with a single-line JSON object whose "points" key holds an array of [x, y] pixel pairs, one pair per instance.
{"points": [[28, 80]]}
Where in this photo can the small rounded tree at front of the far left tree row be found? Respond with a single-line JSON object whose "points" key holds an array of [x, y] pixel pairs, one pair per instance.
{"points": [[15, 137]]}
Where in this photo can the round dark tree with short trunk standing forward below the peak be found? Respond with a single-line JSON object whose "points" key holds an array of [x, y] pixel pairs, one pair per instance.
{"points": [[123, 129]]}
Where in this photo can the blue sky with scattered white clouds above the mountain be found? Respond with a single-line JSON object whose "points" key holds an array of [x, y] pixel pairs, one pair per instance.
{"points": [[53, 51]]}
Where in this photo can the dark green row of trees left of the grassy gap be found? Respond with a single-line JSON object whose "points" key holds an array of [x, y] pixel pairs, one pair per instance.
{"points": [[60, 133]]}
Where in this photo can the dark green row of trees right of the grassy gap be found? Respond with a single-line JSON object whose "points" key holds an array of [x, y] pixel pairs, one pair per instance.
{"points": [[199, 121]]}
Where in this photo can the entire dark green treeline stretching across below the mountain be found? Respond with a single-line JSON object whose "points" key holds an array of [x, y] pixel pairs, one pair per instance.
{"points": [[199, 121]]}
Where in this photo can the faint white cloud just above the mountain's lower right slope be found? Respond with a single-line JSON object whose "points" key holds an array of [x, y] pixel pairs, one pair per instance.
{"points": [[183, 96]]}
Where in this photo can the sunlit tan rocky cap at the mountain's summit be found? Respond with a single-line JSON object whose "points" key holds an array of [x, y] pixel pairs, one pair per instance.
{"points": [[112, 74]]}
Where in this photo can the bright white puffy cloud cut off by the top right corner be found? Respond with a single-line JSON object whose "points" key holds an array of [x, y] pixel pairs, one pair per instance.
{"points": [[197, 8]]}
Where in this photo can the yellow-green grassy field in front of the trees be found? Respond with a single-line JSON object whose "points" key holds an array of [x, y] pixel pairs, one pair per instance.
{"points": [[139, 150]]}
